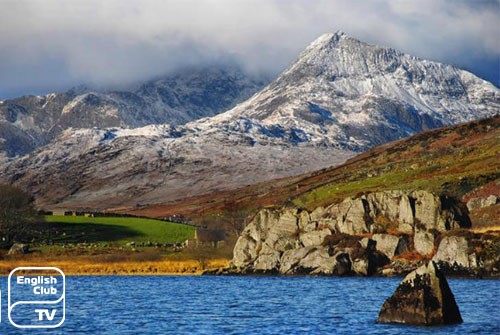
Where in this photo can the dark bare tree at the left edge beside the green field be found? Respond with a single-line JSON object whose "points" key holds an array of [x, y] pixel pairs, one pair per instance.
{"points": [[19, 221]]}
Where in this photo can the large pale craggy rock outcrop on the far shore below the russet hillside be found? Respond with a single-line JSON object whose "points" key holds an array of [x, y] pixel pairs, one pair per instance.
{"points": [[326, 240]]}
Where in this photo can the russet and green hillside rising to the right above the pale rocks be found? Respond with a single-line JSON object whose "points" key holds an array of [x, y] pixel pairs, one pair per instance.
{"points": [[451, 160]]}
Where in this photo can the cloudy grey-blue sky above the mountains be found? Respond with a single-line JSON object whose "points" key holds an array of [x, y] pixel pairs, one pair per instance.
{"points": [[51, 45]]}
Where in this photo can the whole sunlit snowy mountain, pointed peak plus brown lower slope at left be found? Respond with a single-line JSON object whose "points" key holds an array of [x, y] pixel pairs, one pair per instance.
{"points": [[340, 97]]}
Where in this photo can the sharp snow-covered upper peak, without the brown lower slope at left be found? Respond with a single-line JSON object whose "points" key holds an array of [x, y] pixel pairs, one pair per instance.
{"points": [[344, 91]]}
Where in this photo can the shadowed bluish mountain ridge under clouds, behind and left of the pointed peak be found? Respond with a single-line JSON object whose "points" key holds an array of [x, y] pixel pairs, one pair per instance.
{"points": [[189, 94]]}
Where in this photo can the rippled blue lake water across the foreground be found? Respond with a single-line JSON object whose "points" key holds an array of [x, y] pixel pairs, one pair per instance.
{"points": [[252, 305]]}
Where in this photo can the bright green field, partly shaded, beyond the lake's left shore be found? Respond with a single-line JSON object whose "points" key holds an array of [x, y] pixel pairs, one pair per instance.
{"points": [[115, 230]]}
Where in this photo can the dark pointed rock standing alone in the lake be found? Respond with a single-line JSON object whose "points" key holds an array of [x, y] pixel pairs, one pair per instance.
{"points": [[422, 298]]}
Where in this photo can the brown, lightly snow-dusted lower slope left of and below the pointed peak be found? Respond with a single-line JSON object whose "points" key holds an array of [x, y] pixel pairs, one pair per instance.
{"points": [[101, 168]]}
